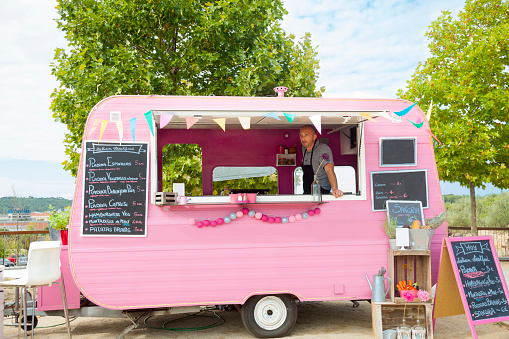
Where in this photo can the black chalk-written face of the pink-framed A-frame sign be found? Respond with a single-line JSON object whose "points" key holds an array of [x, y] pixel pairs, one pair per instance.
{"points": [[480, 279]]}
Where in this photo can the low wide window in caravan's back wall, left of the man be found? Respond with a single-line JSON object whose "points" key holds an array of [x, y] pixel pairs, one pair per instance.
{"points": [[244, 178]]}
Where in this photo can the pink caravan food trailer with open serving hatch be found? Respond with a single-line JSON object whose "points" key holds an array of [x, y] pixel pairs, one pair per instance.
{"points": [[133, 246]]}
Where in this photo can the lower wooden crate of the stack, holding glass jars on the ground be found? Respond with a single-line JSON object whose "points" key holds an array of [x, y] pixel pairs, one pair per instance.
{"points": [[387, 315]]}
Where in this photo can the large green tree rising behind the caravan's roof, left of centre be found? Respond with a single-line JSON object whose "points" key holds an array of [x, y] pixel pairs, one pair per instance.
{"points": [[174, 47]]}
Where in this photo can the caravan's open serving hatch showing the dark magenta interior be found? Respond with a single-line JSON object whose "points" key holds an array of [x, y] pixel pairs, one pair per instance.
{"points": [[201, 156]]}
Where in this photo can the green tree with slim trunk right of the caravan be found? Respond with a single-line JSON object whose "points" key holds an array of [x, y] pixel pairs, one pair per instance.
{"points": [[467, 78]]}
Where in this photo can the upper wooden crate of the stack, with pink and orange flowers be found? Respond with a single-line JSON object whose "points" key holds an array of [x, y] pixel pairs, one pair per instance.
{"points": [[407, 265]]}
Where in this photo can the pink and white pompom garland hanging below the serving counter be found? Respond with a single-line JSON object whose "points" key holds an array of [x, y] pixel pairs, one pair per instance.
{"points": [[254, 214]]}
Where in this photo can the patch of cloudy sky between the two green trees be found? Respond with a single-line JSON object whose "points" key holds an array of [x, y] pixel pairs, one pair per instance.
{"points": [[366, 48]]}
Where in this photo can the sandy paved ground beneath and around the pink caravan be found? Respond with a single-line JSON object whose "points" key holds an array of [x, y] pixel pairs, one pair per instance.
{"points": [[315, 320]]}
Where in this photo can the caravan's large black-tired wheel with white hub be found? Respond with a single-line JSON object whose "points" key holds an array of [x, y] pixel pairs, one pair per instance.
{"points": [[269, 316]]}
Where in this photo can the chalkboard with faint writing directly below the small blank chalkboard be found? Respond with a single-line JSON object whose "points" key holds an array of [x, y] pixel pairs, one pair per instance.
{"points": [[398, 185]]}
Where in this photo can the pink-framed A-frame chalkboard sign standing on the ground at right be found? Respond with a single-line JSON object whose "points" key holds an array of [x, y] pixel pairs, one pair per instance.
{"points": [[471, 281]]}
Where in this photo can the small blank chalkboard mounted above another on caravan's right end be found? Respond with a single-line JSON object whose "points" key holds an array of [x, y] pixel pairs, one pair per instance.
{"points": [[398, 152]]}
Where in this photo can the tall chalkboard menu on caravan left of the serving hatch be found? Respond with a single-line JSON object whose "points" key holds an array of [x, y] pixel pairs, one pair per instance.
{"points": [[115, 189]]}
